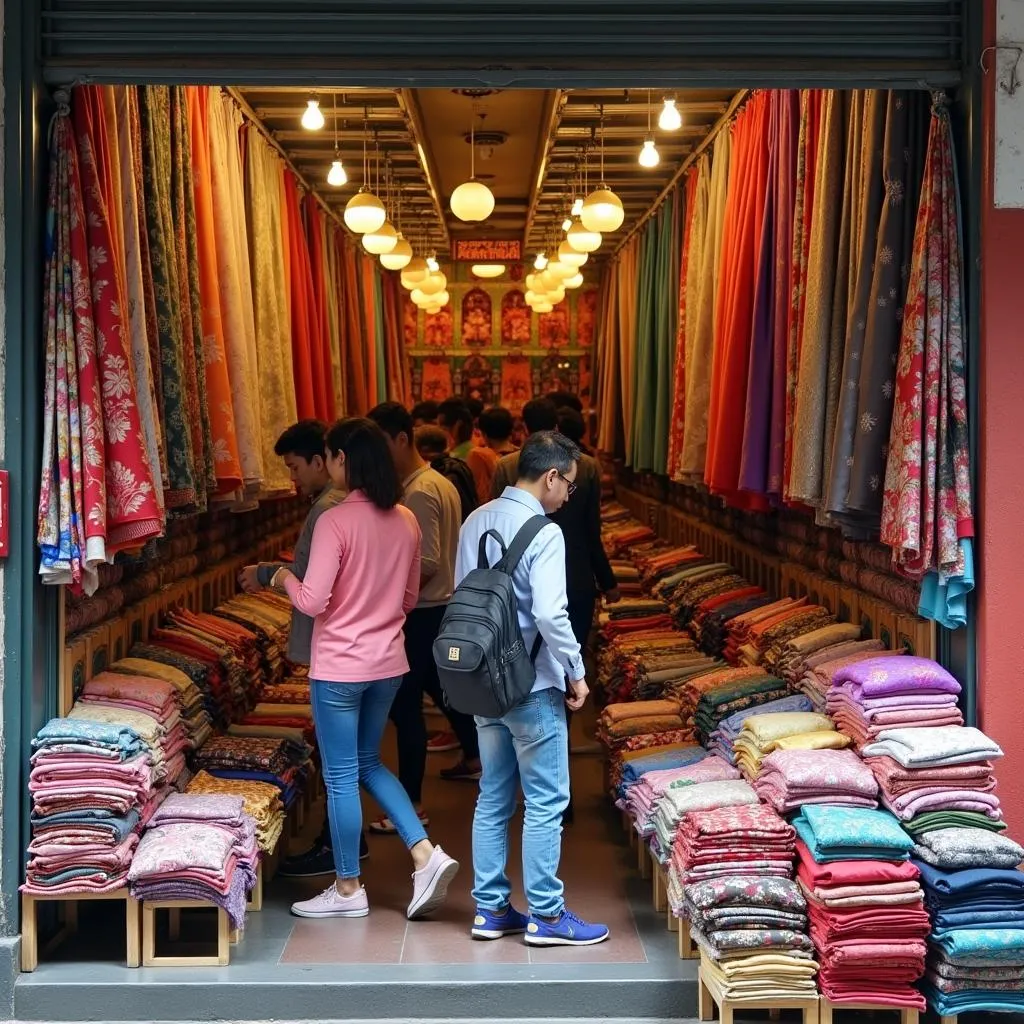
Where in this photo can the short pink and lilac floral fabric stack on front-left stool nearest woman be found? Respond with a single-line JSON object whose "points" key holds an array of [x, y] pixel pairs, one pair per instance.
{"points": [[198, 847]]}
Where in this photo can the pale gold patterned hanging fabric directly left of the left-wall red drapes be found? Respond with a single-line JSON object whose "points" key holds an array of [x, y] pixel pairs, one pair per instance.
{"points": [[265, 216]]}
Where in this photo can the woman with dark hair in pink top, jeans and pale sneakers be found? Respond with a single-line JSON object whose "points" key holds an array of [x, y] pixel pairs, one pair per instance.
{"points": [[364, 576]]}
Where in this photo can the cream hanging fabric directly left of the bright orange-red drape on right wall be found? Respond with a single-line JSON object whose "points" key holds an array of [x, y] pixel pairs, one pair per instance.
{"points": [[699, 378]]}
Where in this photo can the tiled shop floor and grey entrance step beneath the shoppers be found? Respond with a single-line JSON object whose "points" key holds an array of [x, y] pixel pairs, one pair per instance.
{"points": [[401, 969]]}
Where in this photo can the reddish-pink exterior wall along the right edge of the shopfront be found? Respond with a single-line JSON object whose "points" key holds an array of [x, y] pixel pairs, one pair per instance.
{"points": [[1001, 487]]}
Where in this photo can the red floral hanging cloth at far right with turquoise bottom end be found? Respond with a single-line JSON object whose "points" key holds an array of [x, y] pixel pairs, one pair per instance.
{"points": [[927, 514]]}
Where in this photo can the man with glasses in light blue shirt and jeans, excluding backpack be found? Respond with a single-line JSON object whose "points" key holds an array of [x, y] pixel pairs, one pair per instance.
{"points": [[529, 744]]}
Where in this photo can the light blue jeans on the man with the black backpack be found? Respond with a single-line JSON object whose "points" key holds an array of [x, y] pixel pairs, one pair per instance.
{"points": [[528, 746]]}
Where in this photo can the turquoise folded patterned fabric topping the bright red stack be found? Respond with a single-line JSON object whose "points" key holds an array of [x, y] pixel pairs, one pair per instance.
{"points": [[835, 833]]}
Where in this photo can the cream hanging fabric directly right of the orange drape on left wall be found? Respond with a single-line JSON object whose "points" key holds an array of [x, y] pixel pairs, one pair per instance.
{"points": [[235, 280]]}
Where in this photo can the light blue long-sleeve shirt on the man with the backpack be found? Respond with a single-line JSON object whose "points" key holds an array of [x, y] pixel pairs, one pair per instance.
{"points": [[539, 582]]}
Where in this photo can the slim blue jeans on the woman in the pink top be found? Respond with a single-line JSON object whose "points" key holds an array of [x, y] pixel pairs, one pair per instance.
{"points": [[350, 720]]}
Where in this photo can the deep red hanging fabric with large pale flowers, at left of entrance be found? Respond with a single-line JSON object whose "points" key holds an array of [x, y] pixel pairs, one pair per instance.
{"points": [[133, 511]]}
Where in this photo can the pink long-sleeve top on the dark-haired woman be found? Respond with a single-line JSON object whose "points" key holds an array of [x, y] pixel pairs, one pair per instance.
{"points": [[364, 576]]}
